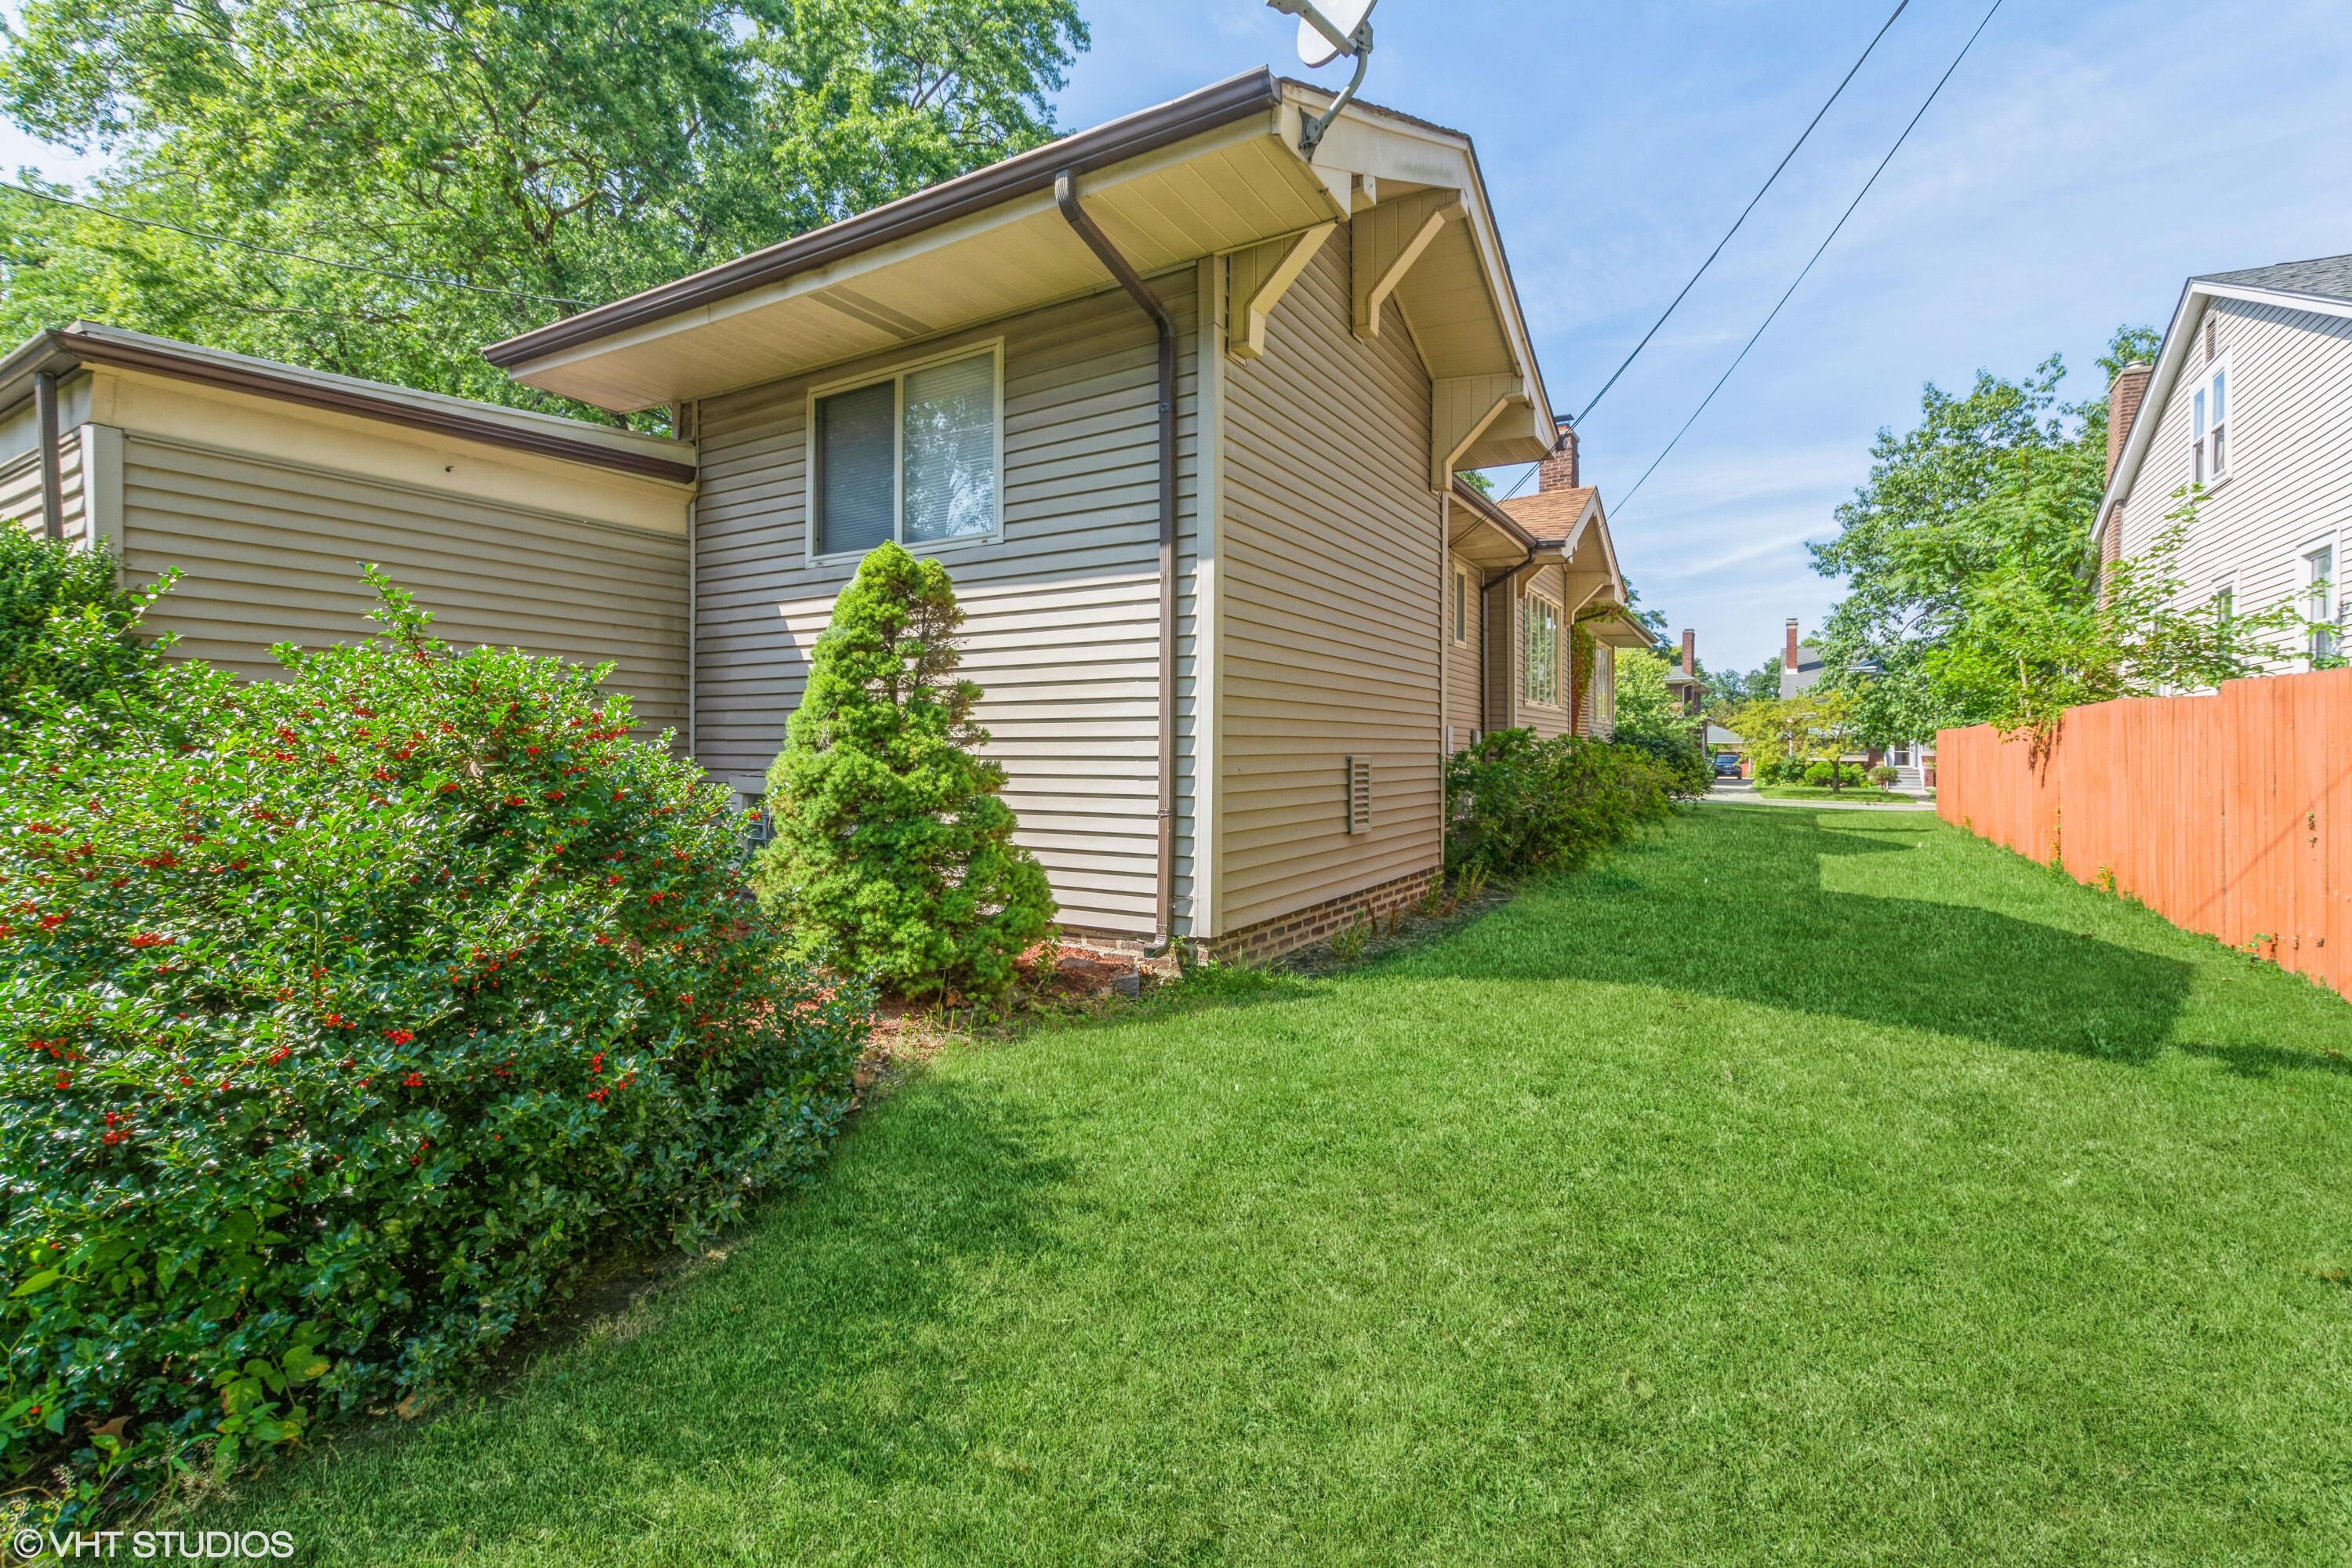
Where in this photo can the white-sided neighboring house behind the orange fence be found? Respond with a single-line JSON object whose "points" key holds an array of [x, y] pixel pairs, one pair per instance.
{"points": [[2252, 401]]}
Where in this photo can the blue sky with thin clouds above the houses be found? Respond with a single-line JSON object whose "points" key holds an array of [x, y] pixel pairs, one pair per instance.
{"points": [[2083, 163]]}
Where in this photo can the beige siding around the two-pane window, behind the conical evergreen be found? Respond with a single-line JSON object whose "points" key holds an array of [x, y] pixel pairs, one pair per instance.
{"points": [[1062, 612]]}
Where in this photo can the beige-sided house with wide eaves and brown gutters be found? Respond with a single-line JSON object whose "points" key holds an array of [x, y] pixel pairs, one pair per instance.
{"points": [[1180, 403]]}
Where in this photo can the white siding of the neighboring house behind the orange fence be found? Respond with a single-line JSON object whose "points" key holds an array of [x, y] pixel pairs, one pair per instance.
{"points": [[2290, 462]]}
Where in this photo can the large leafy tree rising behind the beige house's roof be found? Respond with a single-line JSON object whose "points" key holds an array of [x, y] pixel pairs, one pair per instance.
{"points": [[552, 154]]}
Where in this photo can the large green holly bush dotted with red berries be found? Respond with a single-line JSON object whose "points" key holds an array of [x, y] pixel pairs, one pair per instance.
{"points": [[345, 1014]]}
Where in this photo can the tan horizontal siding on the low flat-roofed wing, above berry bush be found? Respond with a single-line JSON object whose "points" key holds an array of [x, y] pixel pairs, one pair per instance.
{"points": [[272, 554]]}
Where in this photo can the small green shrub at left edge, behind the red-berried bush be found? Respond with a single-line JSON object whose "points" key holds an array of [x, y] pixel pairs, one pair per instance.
{"points": [[65, 624]]}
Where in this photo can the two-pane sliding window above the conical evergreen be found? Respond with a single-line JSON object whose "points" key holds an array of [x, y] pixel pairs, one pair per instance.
{"points": [[911, 457]]}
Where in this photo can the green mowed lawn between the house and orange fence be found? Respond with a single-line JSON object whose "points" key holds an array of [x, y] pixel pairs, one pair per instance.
{"points": [[1798, 1188]]}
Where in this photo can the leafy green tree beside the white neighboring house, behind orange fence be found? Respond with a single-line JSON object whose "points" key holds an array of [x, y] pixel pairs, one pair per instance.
{"points": [[1998, 478]]}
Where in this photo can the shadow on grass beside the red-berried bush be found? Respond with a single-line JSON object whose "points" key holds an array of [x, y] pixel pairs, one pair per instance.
{"points": [[801, 1355]]}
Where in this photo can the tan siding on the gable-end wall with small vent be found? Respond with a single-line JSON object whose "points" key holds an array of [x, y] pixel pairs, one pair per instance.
{"points": [[1330, 608]]}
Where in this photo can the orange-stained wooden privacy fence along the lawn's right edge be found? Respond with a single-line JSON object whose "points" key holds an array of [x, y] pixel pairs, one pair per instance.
{"points": [[2226, 815]]}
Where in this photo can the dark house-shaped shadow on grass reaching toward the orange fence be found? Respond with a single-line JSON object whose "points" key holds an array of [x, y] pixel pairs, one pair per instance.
{"points": [[1751, 920]]}
